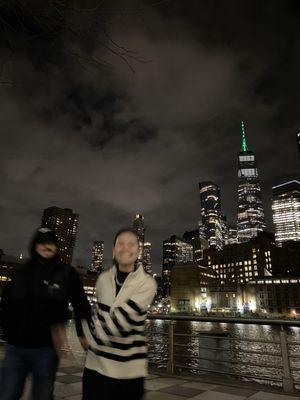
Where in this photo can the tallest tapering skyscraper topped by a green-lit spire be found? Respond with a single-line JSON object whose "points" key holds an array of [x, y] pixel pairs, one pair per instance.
{"points": [[251, 218]]}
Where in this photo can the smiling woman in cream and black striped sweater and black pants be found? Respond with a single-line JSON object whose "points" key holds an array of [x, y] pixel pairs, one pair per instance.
{"points": [[116, 362]]}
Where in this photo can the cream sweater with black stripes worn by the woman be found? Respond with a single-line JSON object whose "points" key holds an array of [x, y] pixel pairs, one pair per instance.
{"points": [[118, 347]]}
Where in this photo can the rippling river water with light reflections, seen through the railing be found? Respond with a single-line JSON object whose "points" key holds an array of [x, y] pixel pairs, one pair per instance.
{"points": [[192, 350]]}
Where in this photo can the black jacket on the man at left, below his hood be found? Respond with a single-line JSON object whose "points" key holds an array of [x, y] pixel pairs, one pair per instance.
{"points": [[36, 298]]}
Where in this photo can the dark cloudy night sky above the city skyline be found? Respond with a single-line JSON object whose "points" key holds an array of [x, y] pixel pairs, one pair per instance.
{"points": [[113, 108]]}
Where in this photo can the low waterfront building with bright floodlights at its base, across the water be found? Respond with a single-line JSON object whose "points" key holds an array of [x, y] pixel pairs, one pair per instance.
{"points": [[279, 296]]}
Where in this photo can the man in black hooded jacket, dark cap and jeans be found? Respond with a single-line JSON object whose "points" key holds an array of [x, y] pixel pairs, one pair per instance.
{"points": [[34, 309]]}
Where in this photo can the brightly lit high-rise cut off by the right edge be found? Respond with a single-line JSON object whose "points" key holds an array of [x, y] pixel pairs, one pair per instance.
{"points": [[286, 211]]}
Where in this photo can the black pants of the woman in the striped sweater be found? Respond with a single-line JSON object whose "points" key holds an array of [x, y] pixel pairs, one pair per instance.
{"points": [[96, 386]]}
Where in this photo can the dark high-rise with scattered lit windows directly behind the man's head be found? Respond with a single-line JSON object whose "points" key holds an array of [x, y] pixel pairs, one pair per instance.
{"points": [[64, 223]]}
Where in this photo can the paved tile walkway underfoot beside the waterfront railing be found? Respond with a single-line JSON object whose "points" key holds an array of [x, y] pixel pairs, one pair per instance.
{"points": [[162, 387]]}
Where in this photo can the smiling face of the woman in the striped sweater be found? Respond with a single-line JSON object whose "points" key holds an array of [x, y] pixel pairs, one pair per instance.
{"points": [[126, 250]]}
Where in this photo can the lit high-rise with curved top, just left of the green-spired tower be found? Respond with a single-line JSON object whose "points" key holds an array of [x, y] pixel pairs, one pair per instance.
{"points": [[211, 213]]}
